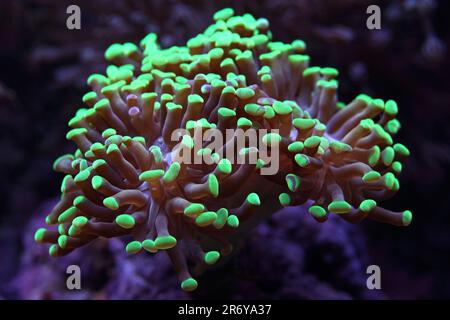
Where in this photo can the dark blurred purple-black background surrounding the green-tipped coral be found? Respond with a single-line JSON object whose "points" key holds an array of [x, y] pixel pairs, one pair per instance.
{"points": [[43, 72]]}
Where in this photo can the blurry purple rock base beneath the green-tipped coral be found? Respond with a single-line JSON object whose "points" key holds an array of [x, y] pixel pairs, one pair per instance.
{"points": [[305, 250]]}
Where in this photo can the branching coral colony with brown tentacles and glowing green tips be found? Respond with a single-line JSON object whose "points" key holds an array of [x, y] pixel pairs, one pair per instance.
{"points": [[128, 176]]}
